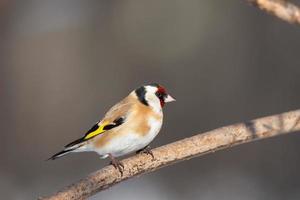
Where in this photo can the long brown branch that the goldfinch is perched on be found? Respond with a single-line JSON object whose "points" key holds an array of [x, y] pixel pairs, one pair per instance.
{"points": [[181, 150]]}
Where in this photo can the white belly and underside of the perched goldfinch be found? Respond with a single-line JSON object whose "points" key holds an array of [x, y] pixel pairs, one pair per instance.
{"points": [[131, 142]]}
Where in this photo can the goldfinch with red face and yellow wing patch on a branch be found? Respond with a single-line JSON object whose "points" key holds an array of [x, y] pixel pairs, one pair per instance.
{"points": [[129, 126]]}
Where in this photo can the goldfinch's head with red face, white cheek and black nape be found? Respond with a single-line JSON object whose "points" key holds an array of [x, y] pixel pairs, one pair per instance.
{"points": [[153, 95]]}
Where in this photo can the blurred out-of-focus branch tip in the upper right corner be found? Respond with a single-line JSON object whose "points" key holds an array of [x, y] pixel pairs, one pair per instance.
{"points": [[279, 8]]}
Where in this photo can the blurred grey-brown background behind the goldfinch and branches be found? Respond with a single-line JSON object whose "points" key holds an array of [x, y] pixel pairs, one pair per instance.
{"points": [[64, 63]]}
